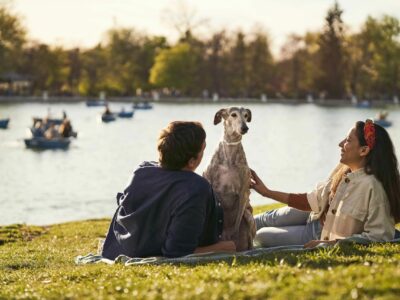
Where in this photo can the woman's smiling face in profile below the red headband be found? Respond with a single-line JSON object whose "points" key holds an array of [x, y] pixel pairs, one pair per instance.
{"points": [[351, 151]]}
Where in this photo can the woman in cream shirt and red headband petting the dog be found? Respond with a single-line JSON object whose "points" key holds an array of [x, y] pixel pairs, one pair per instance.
{"points": [[361, 197]]}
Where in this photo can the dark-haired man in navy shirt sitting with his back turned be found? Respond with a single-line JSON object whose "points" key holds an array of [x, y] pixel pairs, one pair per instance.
{"points": [[168, 209]]}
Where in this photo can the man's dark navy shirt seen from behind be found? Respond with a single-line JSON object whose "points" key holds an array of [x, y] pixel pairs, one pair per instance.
{"points": [[163, 212]]}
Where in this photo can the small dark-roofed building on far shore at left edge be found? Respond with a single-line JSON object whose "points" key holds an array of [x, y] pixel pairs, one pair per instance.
{"points": [[14, 84]]}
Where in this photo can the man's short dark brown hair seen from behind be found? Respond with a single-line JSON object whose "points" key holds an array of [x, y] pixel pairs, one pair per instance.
{"points": [[179, 142]]}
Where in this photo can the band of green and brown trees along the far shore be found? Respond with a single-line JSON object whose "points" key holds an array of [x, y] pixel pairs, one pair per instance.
{"points": [[331, 61]]}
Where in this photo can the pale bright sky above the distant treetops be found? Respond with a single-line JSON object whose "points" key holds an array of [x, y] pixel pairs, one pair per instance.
{"points": [[83, 23]]}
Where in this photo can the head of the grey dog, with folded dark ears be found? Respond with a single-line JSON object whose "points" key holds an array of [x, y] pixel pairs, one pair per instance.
{"points": [[235, 119]]}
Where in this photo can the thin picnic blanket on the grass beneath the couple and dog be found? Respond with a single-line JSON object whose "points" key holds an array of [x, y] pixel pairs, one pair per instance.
{"points": [[204, 258]]}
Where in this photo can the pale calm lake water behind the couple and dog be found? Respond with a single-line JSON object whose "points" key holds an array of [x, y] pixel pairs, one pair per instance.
{"points": [[290, 147]]}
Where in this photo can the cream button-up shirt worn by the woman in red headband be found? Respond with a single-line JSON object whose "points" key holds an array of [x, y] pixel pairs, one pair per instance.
{"points": [[360, 207]]}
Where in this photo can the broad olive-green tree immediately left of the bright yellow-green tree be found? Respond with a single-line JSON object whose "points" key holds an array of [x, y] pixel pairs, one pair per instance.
{"points": [[121, 66]]}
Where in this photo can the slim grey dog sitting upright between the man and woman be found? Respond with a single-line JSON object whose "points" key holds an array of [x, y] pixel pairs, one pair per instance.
{"points": [[229, 176]]}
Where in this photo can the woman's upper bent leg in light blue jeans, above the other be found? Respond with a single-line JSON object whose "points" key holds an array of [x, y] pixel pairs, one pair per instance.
{"points": [[281, 217]]}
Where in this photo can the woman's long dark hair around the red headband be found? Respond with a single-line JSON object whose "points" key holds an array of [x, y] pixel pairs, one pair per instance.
{"points": [[381, 161]]}
